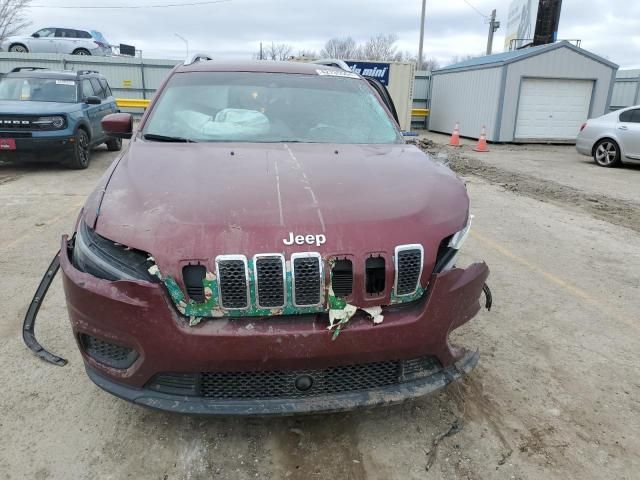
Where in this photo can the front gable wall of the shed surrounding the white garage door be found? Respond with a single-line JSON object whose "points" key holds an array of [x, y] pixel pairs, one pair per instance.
{"points": [[558, 63]]}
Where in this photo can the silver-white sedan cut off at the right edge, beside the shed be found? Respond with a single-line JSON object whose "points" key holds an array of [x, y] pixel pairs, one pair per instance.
{"points": [[613, 138]]}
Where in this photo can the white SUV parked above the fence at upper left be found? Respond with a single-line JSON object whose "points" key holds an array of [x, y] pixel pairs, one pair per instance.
{"points": [[58, 40]]}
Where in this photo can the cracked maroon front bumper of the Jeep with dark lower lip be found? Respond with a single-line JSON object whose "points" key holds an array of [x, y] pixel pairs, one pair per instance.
{"points": [[140, 318]]}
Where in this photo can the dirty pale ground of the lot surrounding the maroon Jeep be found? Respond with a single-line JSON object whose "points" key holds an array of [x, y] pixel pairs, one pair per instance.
{"points": [[556, 393]]}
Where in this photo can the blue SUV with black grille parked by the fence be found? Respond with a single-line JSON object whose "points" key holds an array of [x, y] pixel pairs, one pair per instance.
{"points": [[51, 116]]}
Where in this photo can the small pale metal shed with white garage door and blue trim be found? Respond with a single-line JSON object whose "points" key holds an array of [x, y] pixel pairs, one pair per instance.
{"points": [[538, 94]]}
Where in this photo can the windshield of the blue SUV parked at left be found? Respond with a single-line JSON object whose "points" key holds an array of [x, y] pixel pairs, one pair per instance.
{"points": [[38, 90]]}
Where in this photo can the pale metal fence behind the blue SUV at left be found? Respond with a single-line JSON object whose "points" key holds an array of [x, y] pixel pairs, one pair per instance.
{"points": [[124, 74]]}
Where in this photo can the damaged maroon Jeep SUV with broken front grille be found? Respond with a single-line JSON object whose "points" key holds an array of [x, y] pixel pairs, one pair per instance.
{"points": [[267, 243]]}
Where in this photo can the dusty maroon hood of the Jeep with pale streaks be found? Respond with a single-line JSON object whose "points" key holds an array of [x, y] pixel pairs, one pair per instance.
{"points": [[198, 200]]}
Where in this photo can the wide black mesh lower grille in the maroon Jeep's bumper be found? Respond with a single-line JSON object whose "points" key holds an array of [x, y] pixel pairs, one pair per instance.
{"points": [[282, 384]]}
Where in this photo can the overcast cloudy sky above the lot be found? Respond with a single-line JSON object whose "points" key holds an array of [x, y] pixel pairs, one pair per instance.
{"points": [[234, 29]]}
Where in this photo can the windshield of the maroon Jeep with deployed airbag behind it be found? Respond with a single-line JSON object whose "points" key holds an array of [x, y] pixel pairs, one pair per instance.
{"points": [[270, 107]]}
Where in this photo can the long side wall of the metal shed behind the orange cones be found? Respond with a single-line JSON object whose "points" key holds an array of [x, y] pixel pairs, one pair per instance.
{"points": [[470, 98]]}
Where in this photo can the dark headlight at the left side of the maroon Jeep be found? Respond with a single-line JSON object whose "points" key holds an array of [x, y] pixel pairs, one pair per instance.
{"points": [[108, 260]]}
